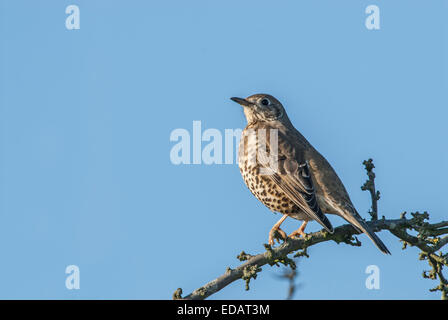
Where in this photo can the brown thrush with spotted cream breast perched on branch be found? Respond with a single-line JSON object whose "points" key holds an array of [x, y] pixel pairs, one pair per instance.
{"points": [[288, 175]]}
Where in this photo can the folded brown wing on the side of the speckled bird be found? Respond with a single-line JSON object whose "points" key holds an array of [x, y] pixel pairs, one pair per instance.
{"points": [[294, 178]]}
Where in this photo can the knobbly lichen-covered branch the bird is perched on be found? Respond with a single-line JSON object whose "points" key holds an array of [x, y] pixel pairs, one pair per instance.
{"points": [[428, 240]]}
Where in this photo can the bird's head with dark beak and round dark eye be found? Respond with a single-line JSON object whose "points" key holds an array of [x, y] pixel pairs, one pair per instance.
{"points": [[261, 107]]}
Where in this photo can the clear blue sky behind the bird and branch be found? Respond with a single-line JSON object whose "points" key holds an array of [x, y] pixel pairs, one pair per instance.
{"points": [[86, 115]]}
